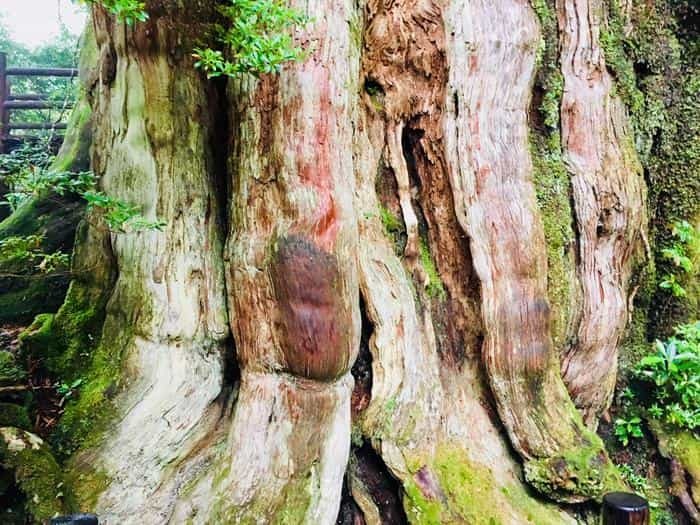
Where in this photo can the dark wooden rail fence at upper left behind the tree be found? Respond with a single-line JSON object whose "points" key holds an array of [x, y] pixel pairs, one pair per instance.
{"points": [[13, 102]]}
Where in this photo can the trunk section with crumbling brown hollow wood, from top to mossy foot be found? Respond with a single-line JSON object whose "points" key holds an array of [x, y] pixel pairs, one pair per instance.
{"points": [[404, 74]]}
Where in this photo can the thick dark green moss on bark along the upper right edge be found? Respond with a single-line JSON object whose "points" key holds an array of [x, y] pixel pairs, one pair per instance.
{"points": [[656, 71]]}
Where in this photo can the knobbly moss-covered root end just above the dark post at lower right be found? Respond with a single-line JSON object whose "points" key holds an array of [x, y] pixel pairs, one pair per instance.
{"points": [[579, 474]]}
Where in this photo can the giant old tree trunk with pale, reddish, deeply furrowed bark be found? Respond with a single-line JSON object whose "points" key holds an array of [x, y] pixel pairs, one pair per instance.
{"points": [[375, 205]]}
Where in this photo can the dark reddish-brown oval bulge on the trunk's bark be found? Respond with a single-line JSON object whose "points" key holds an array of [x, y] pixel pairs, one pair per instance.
{"points": [[313, 320]]}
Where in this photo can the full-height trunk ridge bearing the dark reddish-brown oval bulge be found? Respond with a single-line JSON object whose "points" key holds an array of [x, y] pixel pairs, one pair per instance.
{"points": [[292, 282]]}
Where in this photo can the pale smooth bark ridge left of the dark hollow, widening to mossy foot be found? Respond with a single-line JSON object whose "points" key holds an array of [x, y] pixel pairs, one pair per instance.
{"points": [[428, 422]]}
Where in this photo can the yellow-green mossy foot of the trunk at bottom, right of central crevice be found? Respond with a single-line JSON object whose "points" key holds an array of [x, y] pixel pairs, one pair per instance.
{"points": [[455, 490]]}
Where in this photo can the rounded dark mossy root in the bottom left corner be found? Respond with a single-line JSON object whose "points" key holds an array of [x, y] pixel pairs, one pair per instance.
{"points": [[36, 472]]}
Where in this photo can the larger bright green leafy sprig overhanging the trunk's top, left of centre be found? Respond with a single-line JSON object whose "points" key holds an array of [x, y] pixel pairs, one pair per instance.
{"points": [[257, 39]]}
